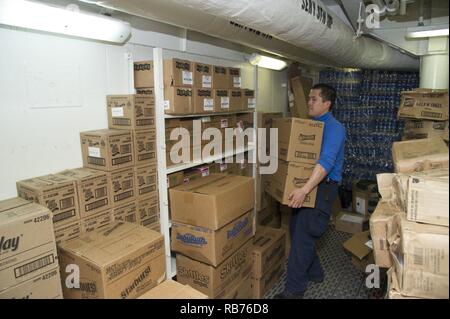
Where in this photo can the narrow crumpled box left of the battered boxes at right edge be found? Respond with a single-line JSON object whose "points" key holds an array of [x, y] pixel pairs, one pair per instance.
{"points": [[383, 216]]}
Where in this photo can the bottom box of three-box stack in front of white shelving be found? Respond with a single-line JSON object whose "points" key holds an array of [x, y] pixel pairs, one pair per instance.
{"points": [[216, 281]]}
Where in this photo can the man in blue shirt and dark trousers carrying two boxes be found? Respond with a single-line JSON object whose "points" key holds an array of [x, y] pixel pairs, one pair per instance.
{"points": [[308, 224]]}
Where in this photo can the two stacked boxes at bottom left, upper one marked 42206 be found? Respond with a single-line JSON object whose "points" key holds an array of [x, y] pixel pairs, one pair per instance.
{"points": [[29, 266]]}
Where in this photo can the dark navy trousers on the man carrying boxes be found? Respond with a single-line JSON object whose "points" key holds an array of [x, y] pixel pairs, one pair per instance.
{"points": [[306, 227]]}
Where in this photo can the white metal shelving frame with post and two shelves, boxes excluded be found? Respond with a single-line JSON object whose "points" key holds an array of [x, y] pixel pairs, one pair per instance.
{"points": [[163, 170]]}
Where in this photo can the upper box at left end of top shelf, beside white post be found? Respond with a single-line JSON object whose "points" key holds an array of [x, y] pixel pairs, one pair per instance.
{"points": [[178, 73]]}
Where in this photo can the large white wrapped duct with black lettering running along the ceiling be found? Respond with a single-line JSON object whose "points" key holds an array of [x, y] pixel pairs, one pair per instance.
{"points": [[300, 30]]}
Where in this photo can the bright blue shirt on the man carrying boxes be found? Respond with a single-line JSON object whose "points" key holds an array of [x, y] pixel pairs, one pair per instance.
{"points": [[332, 152]]}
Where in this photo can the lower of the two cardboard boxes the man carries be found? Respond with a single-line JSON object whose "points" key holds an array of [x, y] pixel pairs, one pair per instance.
{"points": [[288, 177]]}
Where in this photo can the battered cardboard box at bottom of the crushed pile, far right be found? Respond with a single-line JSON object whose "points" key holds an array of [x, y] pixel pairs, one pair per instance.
{"points": [[420, 255]]}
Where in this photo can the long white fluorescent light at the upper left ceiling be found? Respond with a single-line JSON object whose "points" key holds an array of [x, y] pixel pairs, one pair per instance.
{"points": [[38, 16]]}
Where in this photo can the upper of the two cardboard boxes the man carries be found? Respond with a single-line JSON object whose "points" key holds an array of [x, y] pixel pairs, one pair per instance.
{"points": [[299, 140]]}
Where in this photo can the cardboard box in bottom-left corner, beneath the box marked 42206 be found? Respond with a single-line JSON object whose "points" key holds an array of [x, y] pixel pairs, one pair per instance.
{"points": [[45, 286]]}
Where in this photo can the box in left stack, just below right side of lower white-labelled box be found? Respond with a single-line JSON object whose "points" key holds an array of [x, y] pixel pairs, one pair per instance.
{"points": [[122, 186]]}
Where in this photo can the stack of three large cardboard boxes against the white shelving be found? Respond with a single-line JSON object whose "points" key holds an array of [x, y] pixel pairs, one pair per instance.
{"points": [[212, 227]]}
